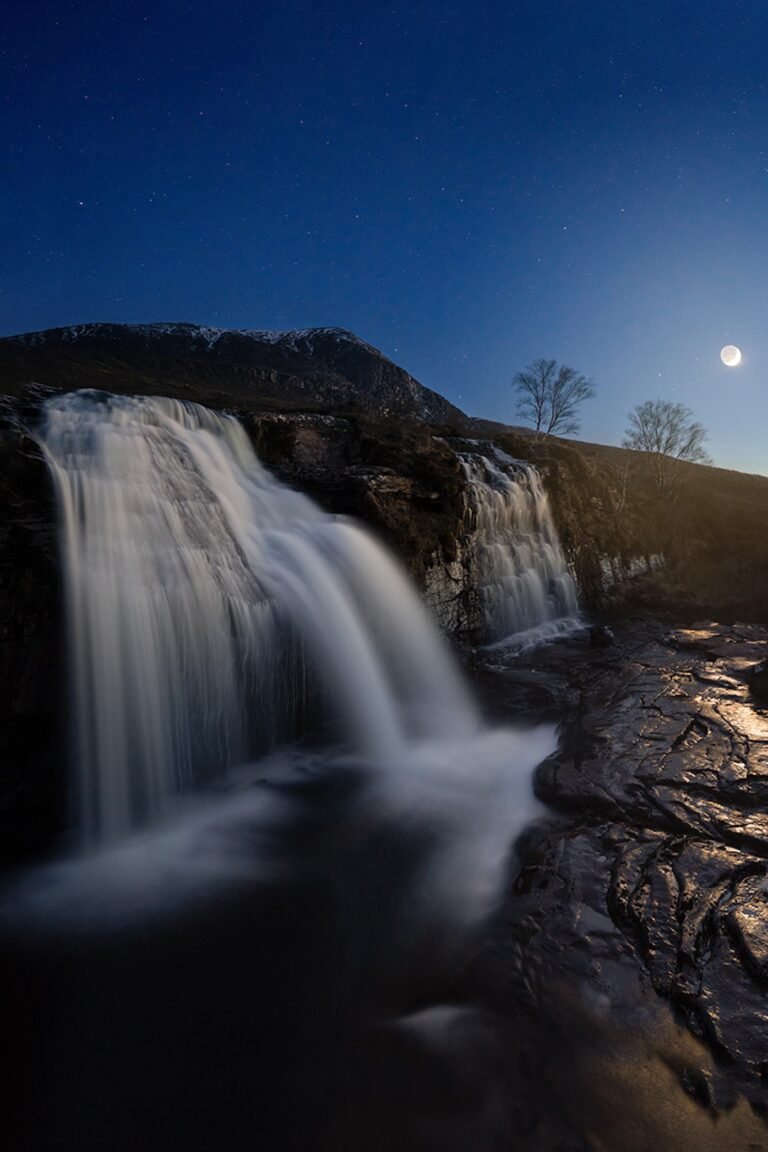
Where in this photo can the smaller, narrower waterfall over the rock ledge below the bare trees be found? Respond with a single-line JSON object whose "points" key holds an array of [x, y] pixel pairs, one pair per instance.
{"points": [[520, 573]]}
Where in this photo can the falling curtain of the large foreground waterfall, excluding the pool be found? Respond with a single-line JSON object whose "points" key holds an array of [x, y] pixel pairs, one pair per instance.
{"points": [[210, 609]]}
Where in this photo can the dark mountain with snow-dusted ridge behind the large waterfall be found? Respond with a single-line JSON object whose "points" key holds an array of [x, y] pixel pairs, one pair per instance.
{"points": [[329, 367]]}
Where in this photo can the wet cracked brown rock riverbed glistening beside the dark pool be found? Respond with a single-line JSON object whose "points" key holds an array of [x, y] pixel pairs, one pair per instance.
{"points": [[632, 956]]}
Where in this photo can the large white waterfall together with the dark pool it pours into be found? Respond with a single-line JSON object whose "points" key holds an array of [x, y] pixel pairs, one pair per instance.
{"points": [[292, 822]]}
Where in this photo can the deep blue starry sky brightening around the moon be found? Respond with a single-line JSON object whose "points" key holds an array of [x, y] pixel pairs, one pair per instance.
{"points": [[466, 186]]}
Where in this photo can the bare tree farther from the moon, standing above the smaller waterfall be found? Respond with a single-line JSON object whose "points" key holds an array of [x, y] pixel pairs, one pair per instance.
{"points": [[551, 397]]}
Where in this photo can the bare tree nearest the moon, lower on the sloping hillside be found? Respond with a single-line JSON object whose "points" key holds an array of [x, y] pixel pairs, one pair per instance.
{"points": [[671, 434]]}
